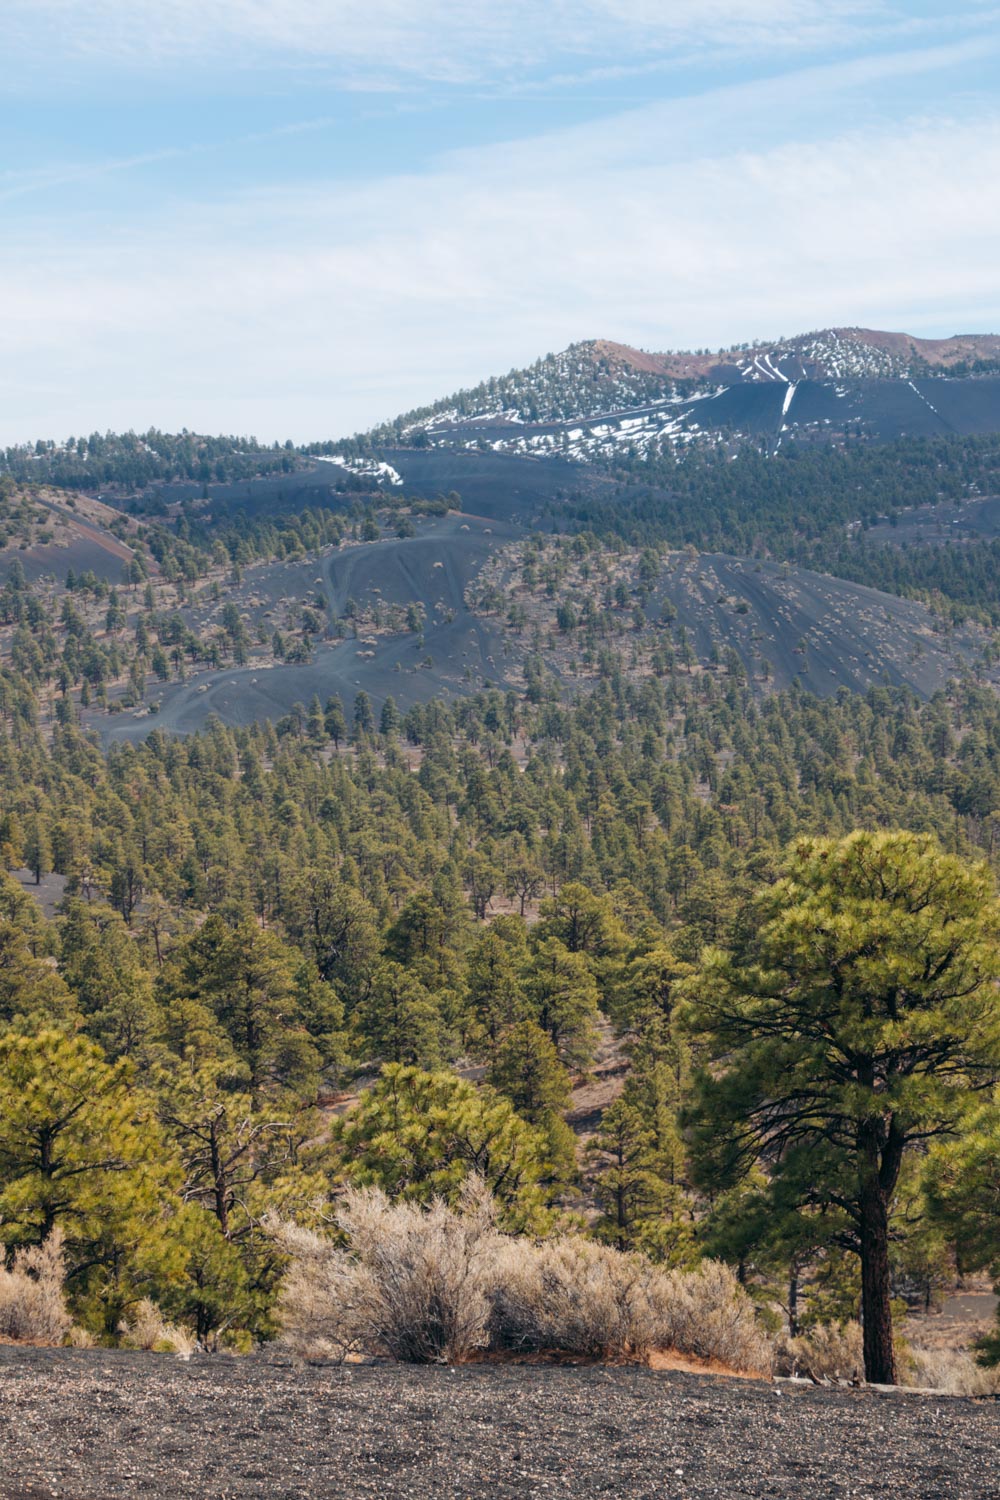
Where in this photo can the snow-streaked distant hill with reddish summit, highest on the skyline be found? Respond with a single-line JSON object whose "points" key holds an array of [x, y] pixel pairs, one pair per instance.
{"points": [[600, 398]]}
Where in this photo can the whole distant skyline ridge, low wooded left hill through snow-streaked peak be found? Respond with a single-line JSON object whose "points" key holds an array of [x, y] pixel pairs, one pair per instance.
{"points": [[596, 400]]}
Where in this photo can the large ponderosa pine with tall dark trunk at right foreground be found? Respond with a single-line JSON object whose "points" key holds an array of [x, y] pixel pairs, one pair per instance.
{"points": [[854, 1027]]}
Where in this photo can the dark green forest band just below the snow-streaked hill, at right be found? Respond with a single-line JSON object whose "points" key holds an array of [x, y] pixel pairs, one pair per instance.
{"points": [[816, 506]]}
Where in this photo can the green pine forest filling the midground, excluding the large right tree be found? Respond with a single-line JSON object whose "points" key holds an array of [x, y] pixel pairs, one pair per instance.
{"points": [[383, 950]]}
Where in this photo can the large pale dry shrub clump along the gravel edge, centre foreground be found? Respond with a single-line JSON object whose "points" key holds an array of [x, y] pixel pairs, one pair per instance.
{"points": [[433, 1285]]}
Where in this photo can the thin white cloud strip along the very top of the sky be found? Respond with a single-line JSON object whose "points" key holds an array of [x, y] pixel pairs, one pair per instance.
{"points": [[458, 41]]}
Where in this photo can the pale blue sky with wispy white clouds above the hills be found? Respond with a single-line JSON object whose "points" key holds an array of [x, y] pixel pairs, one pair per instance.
{"points": [[301, 218]]}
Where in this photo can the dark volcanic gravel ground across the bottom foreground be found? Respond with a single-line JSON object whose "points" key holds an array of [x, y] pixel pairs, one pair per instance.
{"points": [[86, 1424]]}
